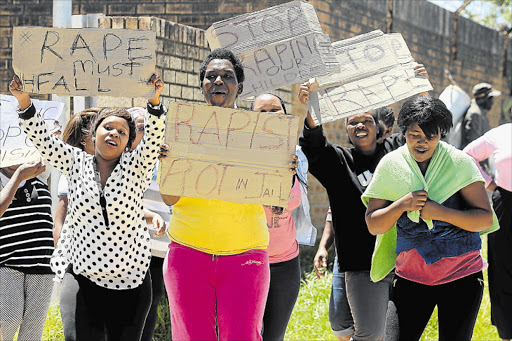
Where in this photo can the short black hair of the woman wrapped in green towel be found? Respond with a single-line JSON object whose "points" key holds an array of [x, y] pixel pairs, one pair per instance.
{"points": [[431, 114]]}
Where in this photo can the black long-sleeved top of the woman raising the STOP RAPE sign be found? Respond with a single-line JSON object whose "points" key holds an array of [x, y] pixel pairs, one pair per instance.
{"points": [[345, 174]]}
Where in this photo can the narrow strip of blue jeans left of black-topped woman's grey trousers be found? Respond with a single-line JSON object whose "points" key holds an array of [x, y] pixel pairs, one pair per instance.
{"points": [[340, 315]]}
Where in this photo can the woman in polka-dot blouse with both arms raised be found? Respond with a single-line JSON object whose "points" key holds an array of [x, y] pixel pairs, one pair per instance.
{"points": [[106, 291]]}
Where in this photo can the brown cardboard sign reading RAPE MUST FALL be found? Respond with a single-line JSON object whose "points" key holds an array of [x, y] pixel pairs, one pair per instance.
{"points": [[87, 61]]}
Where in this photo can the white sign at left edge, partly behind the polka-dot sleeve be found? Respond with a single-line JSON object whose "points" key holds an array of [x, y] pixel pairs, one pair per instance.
{"points": [[15, 147]]}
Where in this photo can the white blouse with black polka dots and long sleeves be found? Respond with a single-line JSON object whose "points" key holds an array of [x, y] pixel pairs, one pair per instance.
{"points": [[116, 256]]}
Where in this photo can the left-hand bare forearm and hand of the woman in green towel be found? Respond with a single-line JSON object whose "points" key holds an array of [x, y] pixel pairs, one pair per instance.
{"points": [[382, 215]]}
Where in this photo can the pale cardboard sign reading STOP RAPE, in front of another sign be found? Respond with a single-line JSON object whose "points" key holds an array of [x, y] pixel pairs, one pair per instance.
{"points": [[376, 70]]}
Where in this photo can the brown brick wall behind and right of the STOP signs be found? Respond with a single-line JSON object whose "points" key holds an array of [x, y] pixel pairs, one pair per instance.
{"points": [[427, 29]]}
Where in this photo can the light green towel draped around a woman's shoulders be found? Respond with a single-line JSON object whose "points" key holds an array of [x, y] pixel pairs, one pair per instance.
{"points": [[398, 174]]}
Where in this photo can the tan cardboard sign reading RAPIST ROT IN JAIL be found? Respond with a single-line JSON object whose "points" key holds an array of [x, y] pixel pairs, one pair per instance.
{"points": [[228, 154]]}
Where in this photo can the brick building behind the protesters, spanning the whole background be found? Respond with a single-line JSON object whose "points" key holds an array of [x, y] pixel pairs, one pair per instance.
{"points": [[427, 28]]}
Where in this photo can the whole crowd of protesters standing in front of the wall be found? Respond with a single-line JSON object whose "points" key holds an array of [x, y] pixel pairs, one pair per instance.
{"points": [[406, 216]]}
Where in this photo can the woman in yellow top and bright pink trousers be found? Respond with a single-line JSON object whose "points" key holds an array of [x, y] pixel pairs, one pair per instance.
{"points": [[216, 271]]}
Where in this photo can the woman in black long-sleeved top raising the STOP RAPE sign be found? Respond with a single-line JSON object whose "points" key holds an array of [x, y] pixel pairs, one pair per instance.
{"points": [[345, 173]]}
